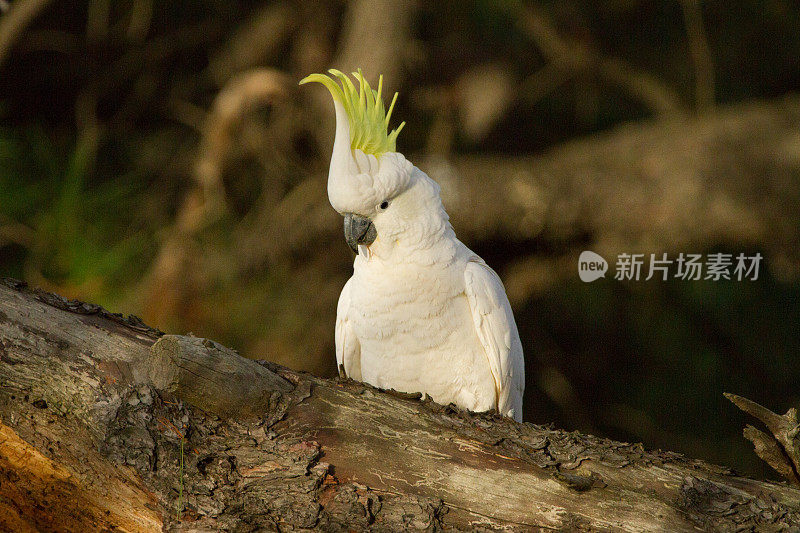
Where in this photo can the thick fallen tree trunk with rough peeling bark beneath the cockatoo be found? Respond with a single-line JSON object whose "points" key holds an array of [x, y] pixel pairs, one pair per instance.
{"points": [[88, 441]]}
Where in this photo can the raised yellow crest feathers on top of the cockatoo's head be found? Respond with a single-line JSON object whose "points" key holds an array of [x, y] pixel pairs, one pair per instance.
{"points": [[369, 121]]}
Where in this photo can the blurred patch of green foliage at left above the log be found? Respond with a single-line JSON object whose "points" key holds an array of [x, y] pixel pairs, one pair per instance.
{"points": [[82, 230]]}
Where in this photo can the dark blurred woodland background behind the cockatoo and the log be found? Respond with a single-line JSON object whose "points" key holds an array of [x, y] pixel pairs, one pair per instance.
{"points": [[158, 157]]}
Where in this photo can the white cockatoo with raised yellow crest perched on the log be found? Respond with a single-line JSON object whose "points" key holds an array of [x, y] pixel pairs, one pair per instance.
{"points": [[422, 312]]}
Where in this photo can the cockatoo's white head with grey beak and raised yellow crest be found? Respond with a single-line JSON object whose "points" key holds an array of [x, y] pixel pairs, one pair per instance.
{"points": [[382, 196]]}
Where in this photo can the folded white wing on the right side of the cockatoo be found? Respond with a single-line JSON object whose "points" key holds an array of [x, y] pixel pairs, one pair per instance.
{"points": [[497, 331]]}
